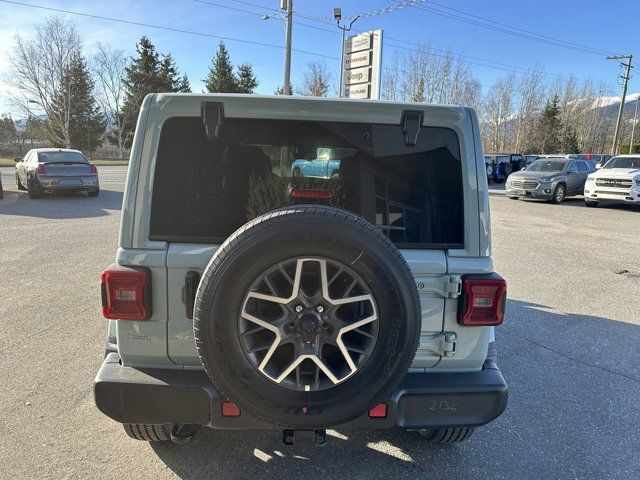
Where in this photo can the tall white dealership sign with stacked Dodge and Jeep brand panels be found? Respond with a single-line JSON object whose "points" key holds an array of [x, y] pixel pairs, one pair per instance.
{"points": [[362, 66]]}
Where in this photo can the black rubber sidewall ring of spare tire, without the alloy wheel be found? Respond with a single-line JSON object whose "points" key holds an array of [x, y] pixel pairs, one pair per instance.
{"points": [[219, 344]]}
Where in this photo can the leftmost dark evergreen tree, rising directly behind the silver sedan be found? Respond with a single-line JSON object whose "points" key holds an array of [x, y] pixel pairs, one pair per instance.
{"points": [[86, 122]]}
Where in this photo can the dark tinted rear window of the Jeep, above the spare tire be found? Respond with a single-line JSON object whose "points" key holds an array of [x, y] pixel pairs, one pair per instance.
{"points": [[204, 190]]}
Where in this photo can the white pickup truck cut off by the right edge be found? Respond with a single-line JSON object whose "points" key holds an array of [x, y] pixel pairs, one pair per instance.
{"points": [[617, 181]]}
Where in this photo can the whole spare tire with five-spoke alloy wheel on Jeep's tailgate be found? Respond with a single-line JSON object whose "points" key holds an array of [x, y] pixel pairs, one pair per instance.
{"points": [[307, 316]]}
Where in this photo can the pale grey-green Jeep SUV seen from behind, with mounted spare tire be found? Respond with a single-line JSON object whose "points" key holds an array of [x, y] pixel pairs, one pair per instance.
{"points": [[244, 297]]}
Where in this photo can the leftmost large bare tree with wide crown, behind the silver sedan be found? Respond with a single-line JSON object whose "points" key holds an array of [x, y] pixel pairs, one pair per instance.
{"points": [[39, 66]]}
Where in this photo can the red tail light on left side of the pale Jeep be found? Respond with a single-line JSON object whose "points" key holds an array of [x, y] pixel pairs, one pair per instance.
{"points": [[126, 293]]}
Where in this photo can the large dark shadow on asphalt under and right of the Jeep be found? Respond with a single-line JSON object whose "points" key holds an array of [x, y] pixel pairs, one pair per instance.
{"points": [[574, 381]]}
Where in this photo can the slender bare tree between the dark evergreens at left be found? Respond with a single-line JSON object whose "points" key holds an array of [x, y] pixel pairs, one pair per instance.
{"points": [[108, 66]]}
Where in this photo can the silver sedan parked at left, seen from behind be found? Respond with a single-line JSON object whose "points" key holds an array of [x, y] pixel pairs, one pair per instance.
{"points": [[46, 170]]}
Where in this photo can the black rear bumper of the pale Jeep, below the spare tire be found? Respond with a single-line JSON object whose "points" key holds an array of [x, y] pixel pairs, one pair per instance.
{"points": [[423, 400]]}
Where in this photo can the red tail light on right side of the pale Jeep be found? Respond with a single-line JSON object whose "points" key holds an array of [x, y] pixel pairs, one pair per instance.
{"points": [[483, 300]]}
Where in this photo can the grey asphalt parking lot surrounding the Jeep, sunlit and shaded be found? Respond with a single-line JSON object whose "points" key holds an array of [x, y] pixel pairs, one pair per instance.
{"points": [[569, 351]]}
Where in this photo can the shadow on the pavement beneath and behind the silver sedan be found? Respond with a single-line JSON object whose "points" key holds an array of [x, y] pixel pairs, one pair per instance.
{"points": [[60, 205]]}
